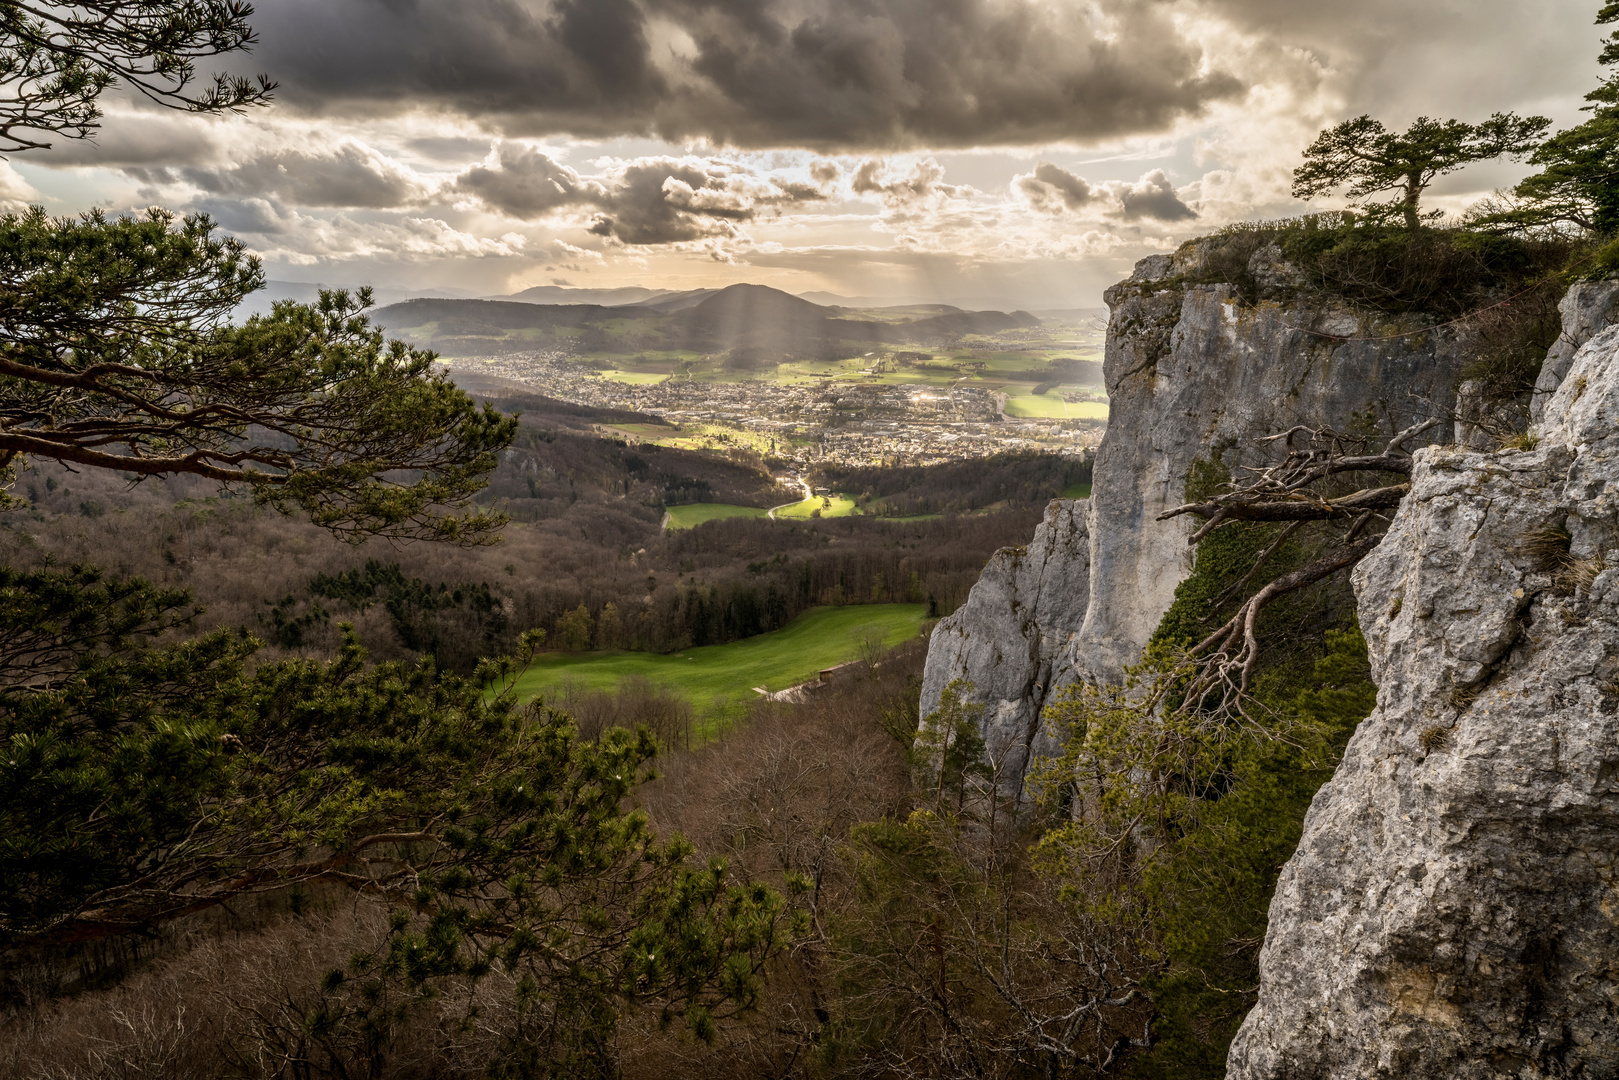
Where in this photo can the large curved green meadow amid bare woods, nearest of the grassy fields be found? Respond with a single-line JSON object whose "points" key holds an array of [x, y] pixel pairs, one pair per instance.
{"points": [[729, 673]]}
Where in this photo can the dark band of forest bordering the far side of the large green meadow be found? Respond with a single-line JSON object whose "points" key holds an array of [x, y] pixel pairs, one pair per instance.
{"points": [[723, 582]]}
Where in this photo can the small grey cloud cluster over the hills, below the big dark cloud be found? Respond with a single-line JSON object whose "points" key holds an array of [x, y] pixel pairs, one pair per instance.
{"points": [[648, 202]]}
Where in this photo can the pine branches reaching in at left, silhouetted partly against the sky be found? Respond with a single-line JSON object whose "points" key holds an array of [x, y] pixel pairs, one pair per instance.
{"points": [[119, 354]]}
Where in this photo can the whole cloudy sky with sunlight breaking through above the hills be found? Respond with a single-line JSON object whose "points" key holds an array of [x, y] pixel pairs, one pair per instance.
{"points": [[992, 153]]}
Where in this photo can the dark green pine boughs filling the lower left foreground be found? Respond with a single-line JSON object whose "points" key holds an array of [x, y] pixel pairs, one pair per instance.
{"points": [[145, 781]]}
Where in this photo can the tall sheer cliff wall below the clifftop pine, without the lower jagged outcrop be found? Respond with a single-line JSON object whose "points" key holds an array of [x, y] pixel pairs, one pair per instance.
{"points": [[1192, 372]]}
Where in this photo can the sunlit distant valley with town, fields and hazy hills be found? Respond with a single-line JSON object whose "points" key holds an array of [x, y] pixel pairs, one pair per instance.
{"points": [[750, 367]]}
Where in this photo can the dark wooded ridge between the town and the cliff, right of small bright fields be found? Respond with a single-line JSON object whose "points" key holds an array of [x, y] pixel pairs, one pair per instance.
{"points": [[1024, 480]]}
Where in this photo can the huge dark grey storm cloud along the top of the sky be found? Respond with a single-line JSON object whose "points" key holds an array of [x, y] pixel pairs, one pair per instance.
{"points": [[825, 74]]}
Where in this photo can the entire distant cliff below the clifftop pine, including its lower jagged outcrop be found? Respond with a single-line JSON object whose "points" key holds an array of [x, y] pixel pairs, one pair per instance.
{"points": [[1191, 372]]}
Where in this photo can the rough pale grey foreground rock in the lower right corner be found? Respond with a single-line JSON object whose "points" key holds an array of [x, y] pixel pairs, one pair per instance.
{"points": [[1453, 909]]}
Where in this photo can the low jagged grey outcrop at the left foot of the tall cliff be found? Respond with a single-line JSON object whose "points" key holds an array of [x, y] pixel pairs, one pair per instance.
{"points": [[1013, 636]]}
